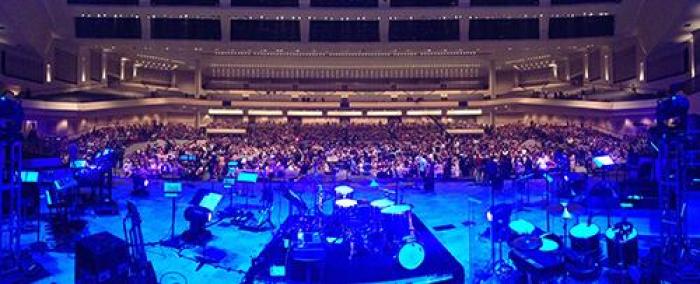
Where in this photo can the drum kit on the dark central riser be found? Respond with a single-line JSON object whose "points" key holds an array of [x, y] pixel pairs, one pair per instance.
{"points": [[369, 227]]}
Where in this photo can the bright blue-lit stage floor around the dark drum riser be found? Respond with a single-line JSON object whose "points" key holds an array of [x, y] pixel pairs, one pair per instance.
{"points": [[447, 213]]}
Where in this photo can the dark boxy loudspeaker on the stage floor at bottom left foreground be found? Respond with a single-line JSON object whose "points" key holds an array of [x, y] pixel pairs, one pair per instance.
{"points": [[101, 258]]}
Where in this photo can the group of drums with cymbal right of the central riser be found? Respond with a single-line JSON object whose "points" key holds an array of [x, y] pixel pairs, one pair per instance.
{"points": [[542, 256]]}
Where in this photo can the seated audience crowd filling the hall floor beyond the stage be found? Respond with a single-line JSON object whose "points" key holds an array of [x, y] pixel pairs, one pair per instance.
{"points": [[390, 150]]}
